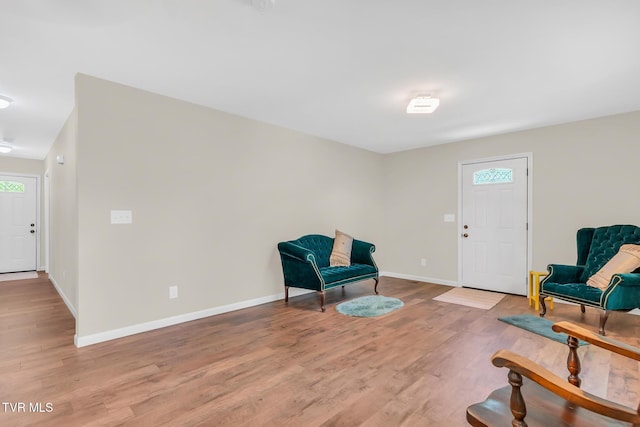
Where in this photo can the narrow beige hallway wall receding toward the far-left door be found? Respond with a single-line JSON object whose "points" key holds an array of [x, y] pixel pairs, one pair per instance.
{"points": [[63, 215]]}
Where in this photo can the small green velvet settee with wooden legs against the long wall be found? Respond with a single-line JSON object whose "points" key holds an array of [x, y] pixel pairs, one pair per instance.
{"points": [[305, 264]]}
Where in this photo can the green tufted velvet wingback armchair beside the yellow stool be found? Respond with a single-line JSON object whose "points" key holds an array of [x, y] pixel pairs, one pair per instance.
{"points": [[596, 246]]}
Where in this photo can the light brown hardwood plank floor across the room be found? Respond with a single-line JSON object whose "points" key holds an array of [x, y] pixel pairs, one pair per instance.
{"points": [[278, 365]]}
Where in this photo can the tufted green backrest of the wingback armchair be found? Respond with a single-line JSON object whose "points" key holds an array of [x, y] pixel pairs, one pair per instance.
{"points": [[605, 244]]}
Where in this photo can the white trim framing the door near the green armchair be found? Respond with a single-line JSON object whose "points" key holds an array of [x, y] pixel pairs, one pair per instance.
{"points": [[529, 157]]}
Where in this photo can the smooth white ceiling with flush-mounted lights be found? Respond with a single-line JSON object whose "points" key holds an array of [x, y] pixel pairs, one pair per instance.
{"points": [[339, 69]]}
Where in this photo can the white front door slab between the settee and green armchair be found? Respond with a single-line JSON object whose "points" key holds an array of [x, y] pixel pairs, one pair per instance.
{"points": [[494, 225]]}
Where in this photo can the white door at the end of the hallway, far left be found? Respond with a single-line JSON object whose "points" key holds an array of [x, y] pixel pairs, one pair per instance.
{"points": [[18, 236]]}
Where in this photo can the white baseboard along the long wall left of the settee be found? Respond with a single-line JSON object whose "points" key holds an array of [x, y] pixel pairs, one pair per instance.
{"points": [[181, 318]]}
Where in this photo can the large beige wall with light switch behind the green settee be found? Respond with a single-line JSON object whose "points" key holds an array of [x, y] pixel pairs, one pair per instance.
{"points": [[211, 195]]}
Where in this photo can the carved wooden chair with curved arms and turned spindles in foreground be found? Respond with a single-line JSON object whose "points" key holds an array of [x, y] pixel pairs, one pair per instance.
{"points": [[548, 400]]}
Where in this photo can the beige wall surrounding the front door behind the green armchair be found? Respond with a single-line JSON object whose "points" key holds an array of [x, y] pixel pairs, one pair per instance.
{"points": [[584, 175]]}
